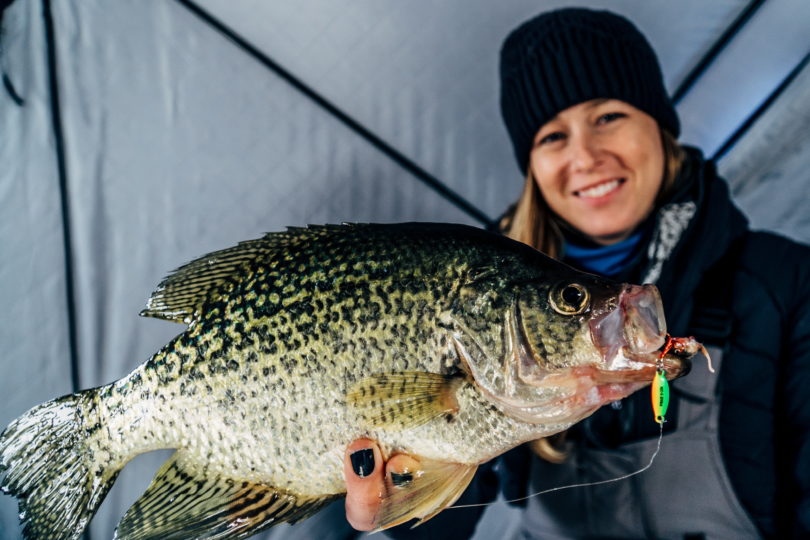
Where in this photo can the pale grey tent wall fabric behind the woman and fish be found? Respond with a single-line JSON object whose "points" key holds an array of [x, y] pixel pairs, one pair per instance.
{"points": [[179, 143]]}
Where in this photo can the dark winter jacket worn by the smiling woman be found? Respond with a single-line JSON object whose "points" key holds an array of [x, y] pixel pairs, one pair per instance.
{"points": [[764, 425]]}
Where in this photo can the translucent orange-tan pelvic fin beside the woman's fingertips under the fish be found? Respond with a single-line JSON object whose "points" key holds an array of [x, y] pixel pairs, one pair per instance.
{"points": [[421, 490]]}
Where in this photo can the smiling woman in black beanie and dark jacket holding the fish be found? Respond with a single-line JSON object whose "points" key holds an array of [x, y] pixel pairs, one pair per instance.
{"points": [[609, 190]]}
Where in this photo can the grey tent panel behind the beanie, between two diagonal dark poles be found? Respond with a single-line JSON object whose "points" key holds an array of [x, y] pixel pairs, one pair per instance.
{"points": [[423, 75]]}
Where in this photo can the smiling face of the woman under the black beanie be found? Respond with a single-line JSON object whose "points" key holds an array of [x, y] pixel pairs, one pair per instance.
{"points": [[599, 166]]}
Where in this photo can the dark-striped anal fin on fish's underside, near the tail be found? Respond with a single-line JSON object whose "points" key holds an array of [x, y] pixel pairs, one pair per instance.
{"points": [[183, 502]]}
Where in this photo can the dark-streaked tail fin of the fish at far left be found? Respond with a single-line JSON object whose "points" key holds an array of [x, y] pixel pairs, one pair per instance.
{"points": [[46, 462]]}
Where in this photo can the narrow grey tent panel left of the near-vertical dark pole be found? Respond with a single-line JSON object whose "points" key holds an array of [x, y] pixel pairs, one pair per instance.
{"points": [[35, 359]]}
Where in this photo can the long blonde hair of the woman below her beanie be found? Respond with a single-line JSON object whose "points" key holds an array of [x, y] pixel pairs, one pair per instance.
{"points": [[532, 222]]}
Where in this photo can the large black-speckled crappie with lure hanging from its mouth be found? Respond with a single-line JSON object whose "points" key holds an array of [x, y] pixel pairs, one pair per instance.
{"points": [[443, 342]]}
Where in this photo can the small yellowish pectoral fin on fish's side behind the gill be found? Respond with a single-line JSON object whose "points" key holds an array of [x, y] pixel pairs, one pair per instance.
{"points": [[404, 399]]}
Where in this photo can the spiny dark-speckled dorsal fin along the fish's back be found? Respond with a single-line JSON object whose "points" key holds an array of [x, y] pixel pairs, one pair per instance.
{"points": [[181, 296]]}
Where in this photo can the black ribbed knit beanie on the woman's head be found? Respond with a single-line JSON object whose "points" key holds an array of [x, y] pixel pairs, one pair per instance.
{"points": [[565, 57]]}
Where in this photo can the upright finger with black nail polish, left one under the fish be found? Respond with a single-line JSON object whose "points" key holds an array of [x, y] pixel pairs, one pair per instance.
{"points": [[363, 469]]}
